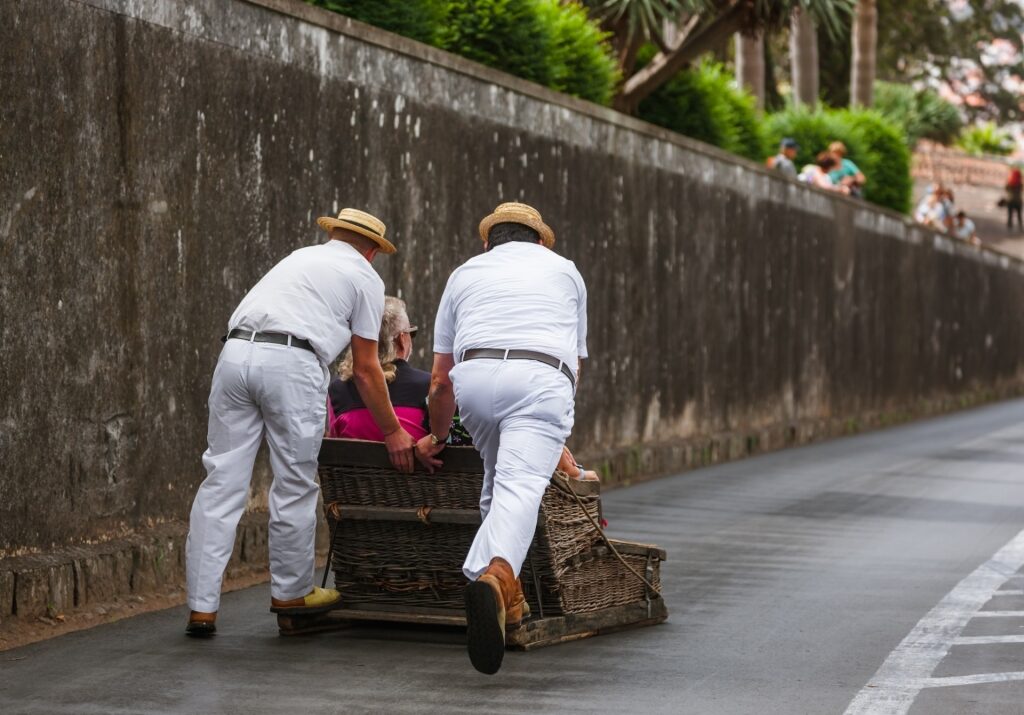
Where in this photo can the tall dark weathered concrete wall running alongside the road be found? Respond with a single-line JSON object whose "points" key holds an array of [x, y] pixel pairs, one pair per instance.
{"points": [[157, 157]]}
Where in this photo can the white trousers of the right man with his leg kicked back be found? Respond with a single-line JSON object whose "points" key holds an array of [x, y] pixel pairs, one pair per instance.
{"points": [[520, 414]]}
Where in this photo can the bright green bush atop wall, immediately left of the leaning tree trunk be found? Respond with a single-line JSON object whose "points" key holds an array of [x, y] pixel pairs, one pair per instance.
{"points": [[582, 63]]}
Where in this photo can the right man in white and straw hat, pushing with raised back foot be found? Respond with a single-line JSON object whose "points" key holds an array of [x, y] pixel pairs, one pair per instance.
{"points": [[509, 339]]}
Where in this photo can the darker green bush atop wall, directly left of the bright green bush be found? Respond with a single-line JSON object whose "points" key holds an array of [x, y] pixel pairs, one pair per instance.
{"points": [[508, 35]]}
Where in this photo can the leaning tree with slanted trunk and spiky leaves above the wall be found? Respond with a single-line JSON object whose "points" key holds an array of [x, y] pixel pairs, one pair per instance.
{"points": [[700, 26]]}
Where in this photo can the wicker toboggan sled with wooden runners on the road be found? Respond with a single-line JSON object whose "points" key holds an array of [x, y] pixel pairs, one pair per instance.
{"points": [[399, 542]]}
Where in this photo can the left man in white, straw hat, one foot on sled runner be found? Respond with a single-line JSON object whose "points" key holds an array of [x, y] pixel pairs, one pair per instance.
{"points": [[272, 382]]}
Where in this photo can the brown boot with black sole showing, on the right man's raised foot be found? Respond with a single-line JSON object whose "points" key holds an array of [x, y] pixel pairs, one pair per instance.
{"points": [[487, 602]]}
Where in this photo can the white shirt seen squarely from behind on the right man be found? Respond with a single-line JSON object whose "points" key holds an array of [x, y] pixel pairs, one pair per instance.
{"points": [[517, 297]]}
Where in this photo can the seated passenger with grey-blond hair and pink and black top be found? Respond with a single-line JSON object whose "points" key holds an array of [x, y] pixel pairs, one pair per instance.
{"points": [[408, 388]]}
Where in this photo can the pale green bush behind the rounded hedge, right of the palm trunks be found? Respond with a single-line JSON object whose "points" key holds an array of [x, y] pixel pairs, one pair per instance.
{"points": [[923, 114]]}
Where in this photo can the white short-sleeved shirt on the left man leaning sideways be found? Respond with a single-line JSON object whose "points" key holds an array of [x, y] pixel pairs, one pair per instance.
{"points": [[324, 293]]}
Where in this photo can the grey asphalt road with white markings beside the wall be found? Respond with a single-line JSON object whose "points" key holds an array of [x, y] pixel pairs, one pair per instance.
{"points": [[798, 582]]}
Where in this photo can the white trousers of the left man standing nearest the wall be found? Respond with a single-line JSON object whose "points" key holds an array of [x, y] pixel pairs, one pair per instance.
{"points": [[280, 392]]}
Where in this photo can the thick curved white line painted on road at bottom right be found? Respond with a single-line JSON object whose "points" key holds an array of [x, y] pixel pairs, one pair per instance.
{"points": [[908, 670]]}
